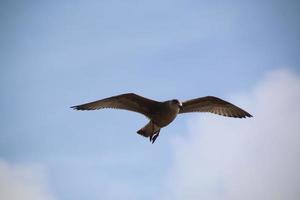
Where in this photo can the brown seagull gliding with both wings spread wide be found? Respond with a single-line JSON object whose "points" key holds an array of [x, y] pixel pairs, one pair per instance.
{"points": [[163, 113]]}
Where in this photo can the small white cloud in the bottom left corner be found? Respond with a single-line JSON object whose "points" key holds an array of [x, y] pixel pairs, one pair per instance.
{"points": [[23, 182]]}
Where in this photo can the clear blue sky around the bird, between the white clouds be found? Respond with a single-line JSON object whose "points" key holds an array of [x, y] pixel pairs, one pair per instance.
{"points": [[55, 54]]}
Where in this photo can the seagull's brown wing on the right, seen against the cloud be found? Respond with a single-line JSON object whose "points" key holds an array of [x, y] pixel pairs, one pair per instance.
{"points": [[213, 105]]}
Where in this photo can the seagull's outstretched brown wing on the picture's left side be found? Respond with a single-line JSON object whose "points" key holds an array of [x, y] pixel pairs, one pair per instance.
{"points": [[130, 101]]}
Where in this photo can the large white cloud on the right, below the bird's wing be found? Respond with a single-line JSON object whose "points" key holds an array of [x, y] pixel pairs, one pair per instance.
{"points": [[234, 159]]}
